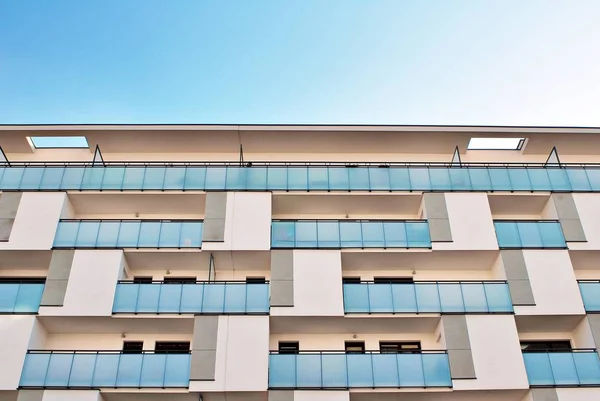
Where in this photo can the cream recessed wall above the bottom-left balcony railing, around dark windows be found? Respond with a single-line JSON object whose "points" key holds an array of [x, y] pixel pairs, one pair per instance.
{"points": [[94, 342]]}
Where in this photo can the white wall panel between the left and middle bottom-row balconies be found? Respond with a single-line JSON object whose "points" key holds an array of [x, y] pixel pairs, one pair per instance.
{"points": [[242, 361]]}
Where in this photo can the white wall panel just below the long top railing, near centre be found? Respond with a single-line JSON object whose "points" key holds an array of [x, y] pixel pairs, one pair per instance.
{"points": [[247, 223]]}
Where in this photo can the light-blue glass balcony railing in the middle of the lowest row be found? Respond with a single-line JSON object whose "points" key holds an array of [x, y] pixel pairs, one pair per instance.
{"points": [[340, 370]]}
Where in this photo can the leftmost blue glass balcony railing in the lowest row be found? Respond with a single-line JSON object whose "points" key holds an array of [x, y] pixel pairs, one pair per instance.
{"points": [[110, 369]]}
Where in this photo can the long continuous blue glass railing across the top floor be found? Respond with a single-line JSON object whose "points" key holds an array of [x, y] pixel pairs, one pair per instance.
{"points": [[33, 176]]}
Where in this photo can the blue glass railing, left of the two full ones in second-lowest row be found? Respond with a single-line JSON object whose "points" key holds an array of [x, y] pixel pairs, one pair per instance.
{"points": [[195, 298]]}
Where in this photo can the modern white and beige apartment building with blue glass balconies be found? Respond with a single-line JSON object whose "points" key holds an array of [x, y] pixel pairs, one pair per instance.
{"points": [[299, 263]]}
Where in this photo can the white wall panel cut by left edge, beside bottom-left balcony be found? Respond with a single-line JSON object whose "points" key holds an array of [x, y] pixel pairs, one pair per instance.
{"points": [[15, 332]]}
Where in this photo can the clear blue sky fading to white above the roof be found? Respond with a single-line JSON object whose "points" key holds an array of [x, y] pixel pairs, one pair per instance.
{"points": [[492, 62]]}
